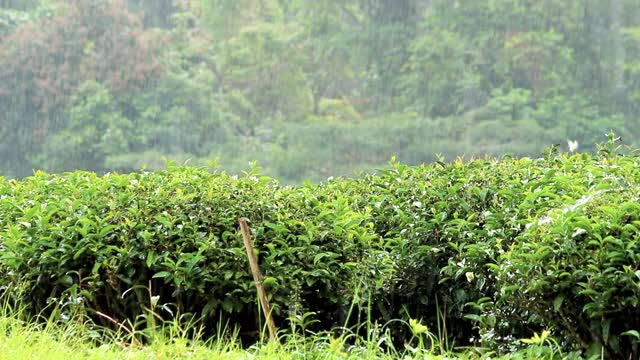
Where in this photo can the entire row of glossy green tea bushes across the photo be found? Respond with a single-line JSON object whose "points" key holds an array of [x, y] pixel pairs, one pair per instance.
{"points": [[488, 251]]}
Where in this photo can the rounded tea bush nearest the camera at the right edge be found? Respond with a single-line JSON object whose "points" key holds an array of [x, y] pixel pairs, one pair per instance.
{"points": [[575, 268]]}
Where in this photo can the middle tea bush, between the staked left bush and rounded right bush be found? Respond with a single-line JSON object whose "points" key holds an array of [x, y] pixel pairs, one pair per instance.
{"points": [[444, 224]]}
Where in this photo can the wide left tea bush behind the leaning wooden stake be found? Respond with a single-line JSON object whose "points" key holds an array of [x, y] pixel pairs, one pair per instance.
{"points": [[103, 240]]}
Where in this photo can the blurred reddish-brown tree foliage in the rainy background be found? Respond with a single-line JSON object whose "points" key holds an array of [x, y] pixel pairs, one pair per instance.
{"points": [[43, 61]]}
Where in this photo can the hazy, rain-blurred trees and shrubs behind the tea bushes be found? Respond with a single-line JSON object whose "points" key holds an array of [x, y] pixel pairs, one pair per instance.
{"points": [[309, 88]]}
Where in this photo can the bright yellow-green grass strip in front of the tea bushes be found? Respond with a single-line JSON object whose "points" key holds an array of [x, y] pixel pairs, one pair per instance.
{"points": [[76, 338]]}
